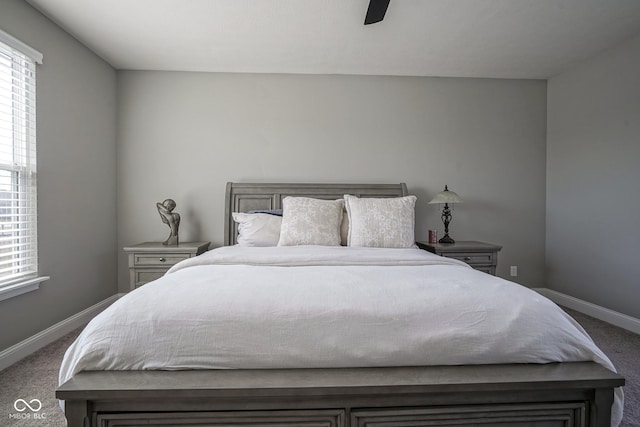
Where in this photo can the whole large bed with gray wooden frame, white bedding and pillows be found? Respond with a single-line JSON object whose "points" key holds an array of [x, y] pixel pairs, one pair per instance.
{"points": [[333, 335]]}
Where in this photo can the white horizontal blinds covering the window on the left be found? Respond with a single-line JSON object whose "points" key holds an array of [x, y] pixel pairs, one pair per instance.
{"points": [[18, 209]]}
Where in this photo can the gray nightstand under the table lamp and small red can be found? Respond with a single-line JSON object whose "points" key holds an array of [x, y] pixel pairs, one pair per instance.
{"points": [[479, 255]]}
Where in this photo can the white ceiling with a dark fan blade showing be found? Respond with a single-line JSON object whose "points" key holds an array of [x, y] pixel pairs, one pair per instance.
{"points": [[461, 38]]}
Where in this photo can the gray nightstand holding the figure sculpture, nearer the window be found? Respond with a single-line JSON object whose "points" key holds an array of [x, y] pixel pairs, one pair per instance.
{"points": [[149, 261]]}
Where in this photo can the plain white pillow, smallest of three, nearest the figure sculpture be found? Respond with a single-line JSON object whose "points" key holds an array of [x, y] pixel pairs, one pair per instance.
{"points": [[257, 229]]}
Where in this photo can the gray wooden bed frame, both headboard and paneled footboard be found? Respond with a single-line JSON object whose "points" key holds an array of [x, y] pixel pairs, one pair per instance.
{"points": [[556, 394]]}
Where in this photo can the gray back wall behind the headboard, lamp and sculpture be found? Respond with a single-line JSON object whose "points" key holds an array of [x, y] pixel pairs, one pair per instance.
{"points": [[184, 135]]}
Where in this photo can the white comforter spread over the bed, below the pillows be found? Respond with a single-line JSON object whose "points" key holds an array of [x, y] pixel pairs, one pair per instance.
{"points": [[309, 306]]}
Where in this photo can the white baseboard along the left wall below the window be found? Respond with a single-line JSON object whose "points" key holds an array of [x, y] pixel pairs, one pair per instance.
{"points": [[34, 343]]}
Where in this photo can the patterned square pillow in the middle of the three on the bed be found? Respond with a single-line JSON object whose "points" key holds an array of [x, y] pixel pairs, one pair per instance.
{"points": [[308, 221]]}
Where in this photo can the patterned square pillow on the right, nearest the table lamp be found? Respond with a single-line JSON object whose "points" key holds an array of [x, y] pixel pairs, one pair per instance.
{"points": [[381, 223]]}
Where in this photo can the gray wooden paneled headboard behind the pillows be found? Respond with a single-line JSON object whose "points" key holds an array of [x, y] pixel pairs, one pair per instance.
{"points": [[245, 197]]}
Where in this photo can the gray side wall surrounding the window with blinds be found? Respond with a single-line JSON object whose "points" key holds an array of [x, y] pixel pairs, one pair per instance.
{"points": [[76, 97]]}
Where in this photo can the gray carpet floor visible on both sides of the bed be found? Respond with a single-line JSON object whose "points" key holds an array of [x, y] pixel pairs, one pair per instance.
{"points": [[36, 376]]}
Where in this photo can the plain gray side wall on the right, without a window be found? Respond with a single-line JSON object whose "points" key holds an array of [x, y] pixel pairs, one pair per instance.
{"points": [[593, 180]]}
